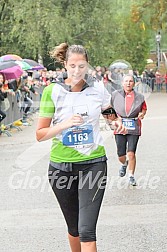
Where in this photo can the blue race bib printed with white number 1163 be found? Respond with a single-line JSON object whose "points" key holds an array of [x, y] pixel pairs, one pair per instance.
{"points": [[78, 137]]}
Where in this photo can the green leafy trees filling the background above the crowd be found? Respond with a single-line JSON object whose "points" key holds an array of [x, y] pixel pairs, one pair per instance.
{"points": [[110, 30]]}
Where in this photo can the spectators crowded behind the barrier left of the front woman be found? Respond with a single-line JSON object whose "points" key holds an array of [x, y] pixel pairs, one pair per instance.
{"points": [[23, 90]]}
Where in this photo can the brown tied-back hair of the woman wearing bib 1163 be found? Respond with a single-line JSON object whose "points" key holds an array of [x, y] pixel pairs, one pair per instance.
{"points": [[62, 51]]}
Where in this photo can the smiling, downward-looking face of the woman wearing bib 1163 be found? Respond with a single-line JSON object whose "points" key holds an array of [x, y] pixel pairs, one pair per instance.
{"points": [[77, 67]]}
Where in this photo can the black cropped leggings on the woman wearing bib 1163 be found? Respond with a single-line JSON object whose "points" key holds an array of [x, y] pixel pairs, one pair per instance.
{"points": [[80, 194]]}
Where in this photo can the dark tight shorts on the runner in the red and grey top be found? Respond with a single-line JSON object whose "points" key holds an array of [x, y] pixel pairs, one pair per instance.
{"points": [[126, 143]]}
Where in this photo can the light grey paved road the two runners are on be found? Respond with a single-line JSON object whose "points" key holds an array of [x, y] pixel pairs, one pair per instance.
{"points": [[131, 219]]}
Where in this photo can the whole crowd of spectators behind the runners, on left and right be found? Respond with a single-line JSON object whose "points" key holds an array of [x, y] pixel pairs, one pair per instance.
{"points": [[34, 82]]}
